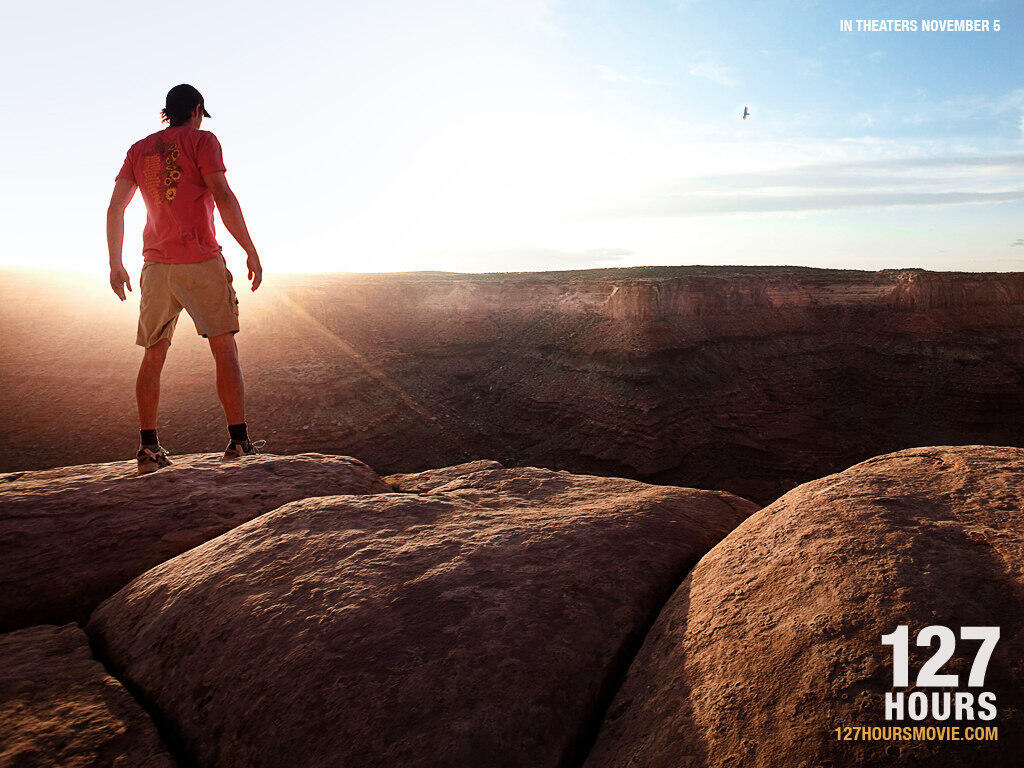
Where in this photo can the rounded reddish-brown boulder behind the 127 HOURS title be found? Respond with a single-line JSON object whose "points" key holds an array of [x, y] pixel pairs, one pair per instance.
{"points": [[776, 638]]}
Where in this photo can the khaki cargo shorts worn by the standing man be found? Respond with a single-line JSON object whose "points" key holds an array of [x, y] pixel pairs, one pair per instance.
{"points": [[204, 290]]}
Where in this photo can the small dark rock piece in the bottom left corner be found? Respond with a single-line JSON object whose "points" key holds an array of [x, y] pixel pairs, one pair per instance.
{"points": [[59, 708]]}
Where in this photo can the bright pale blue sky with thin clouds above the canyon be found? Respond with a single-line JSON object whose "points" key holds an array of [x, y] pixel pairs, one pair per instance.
{"points": [[532, 135]]}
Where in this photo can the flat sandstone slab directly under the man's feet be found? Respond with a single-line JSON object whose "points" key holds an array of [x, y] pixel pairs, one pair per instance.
{"points": [[72, 537]]}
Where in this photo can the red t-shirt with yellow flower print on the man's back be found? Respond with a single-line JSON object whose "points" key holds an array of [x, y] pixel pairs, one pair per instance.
{"points": [[168, 167]]}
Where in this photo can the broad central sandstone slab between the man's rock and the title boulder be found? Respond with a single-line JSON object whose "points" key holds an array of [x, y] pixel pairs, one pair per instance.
{"points": [[484, 625]]}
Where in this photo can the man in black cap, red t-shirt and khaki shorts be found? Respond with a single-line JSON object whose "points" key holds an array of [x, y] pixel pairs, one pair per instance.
{"points": [[181, 173]]}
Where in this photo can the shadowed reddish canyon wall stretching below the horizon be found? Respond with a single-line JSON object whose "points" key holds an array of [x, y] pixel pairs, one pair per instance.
{"points": [[746, 379]]}
